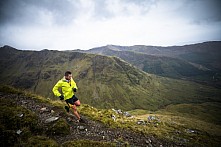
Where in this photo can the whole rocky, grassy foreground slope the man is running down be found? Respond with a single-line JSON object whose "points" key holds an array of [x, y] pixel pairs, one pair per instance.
{"points": [[31, 120]]}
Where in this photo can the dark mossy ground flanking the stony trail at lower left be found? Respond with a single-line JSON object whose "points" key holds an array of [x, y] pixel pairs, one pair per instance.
{"points": [[21, 127]]}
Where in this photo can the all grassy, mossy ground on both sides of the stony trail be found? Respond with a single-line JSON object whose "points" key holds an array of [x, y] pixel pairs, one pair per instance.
{"points": [[175, 125]]}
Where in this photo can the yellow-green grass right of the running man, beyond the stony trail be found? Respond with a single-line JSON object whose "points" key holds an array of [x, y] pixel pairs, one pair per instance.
{"points": [[177, 127]]}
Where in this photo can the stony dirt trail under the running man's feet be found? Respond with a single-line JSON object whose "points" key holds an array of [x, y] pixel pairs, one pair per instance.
{"points": [[91, 130]]}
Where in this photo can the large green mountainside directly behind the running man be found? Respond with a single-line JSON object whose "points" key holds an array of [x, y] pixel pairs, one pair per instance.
{"points": [[104, 82]]}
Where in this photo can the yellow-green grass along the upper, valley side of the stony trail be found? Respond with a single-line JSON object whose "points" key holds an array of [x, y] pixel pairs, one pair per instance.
{"points": [[190, 124]]}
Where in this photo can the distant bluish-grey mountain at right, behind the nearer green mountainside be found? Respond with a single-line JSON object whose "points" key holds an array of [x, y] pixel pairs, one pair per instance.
{"points": [[197, 62]]}
